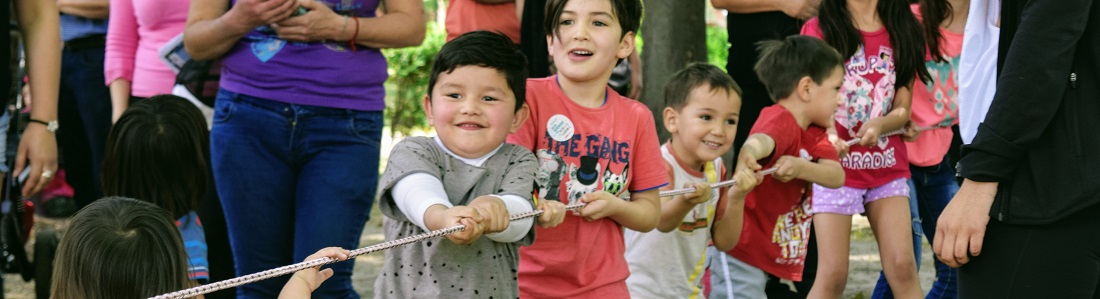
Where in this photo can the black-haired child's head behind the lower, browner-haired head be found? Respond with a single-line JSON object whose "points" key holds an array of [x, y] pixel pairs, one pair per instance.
{"points": [[158, 152]]}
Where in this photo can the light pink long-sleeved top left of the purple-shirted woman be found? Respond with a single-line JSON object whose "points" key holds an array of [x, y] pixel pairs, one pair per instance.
{"points": [[136, 32]]}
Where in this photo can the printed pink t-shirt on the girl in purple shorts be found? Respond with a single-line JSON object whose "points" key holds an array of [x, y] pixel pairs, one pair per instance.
{"points": [[868, 93]]}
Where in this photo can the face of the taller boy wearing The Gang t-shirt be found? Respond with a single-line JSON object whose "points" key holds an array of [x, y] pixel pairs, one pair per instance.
{"points": [[589, 42]]}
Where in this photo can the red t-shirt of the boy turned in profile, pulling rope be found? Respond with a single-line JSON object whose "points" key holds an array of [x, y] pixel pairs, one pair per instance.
{"points": [[777, 215]]}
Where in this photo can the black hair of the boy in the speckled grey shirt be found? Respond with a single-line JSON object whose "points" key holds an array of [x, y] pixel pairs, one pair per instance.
{"points": [[485, 49]]}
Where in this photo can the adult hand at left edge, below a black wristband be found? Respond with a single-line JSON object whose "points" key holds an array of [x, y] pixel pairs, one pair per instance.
{"points": [[39, 147]]}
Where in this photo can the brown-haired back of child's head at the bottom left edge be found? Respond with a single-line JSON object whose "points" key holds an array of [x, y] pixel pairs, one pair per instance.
{"points": [[119, 249]]}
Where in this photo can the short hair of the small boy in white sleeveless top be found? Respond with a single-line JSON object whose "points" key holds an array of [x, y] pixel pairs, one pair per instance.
{"points": [[696, 75]]}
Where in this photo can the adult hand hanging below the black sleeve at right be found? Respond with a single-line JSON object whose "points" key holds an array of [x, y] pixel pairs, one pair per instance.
{"points": [[962, 228]]}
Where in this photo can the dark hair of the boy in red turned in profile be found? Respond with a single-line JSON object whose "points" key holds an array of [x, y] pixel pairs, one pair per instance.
{"points": [[785, 62]]}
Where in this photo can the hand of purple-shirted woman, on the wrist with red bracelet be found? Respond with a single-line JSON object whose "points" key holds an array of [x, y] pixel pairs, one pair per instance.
{"points": [[320, 24]]}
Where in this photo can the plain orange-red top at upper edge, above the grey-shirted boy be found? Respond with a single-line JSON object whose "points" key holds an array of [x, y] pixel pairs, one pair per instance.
{"points": [[467, 16]]}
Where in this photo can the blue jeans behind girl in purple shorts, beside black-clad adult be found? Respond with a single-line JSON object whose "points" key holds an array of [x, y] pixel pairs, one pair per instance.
{"points": [[932, 189]]}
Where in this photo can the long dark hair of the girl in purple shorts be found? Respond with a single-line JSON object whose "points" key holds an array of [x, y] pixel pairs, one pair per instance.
{"points": [[906, 36]]}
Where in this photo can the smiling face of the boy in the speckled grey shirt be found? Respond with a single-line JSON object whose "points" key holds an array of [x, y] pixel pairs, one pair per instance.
{"points": [[474, 110]]}
